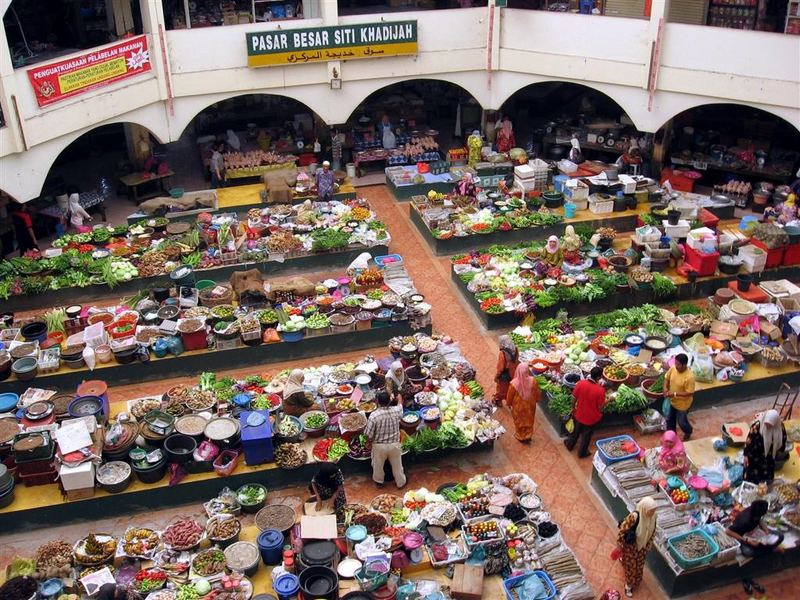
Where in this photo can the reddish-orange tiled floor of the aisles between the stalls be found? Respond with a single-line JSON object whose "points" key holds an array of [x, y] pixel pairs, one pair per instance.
{"points": [[563, 479]]}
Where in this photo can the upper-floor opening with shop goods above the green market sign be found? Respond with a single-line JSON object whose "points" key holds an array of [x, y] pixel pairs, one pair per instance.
{"points": [[185, 14]]}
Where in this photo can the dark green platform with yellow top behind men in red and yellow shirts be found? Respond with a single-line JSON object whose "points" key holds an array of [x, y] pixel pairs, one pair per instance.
{"points": [[758, 381]]}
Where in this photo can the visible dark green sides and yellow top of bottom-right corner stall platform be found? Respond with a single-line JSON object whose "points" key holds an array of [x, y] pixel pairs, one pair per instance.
{"points": [[678, 582]]}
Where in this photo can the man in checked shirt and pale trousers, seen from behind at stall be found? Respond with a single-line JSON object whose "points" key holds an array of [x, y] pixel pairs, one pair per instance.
{"points": [[383, 430]]}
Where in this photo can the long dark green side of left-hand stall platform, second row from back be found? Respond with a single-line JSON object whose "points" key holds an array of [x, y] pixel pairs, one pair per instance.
{"points": [[195, 361]]}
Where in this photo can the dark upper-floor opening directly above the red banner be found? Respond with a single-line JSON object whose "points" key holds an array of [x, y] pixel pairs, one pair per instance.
{"points": [[41, 30]]}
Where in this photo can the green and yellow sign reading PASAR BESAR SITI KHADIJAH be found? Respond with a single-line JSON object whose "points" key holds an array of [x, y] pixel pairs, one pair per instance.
{"points": [[341, 42]]}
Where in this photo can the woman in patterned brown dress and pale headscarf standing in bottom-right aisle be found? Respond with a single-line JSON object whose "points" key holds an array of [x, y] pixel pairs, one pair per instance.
{"points": [[635, 537]]}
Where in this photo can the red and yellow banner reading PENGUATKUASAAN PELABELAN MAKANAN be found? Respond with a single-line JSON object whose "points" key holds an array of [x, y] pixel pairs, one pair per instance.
{"points": [[60, 80]]}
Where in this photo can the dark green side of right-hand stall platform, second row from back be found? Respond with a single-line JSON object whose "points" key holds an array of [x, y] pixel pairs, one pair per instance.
{"points": [[621, 221]]}
